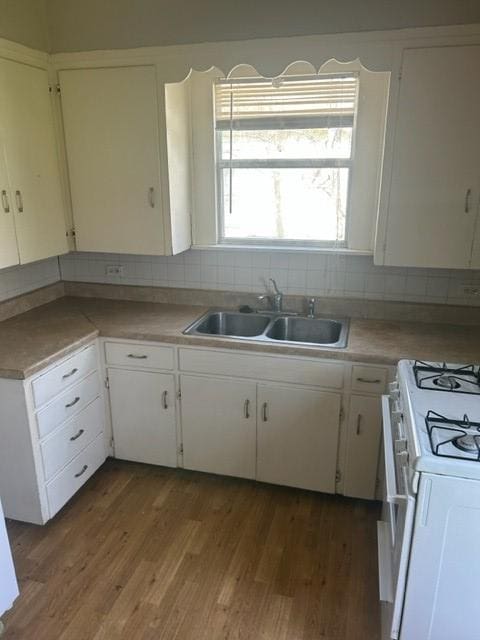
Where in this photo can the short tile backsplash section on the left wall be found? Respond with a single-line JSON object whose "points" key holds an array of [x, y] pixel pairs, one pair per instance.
{"points": [[17, 280]]}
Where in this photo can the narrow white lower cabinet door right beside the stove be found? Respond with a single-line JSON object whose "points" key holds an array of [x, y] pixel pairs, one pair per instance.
{"points": [[363, 444]]}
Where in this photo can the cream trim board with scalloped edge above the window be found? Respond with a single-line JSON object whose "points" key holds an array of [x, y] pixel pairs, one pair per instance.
{"points": [[270, 56]]}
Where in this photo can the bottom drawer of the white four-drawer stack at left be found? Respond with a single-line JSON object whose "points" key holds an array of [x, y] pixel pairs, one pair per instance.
{"points": [[75, 474]]}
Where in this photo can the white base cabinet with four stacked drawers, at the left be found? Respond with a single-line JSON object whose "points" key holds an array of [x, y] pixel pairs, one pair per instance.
{"points": [[52, 435]]}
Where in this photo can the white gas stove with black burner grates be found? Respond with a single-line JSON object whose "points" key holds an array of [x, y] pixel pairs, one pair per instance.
{"points": [[431, 434]]}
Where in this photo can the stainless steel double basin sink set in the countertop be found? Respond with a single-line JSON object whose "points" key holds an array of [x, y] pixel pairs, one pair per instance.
{"points": [[272, 327]]}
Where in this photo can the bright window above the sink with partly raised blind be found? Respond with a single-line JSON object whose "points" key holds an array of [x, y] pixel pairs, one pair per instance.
{"points": [[284, 153]]}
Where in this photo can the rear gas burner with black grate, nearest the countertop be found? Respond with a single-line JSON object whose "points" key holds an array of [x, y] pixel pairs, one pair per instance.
{"points": [[449, 378]]}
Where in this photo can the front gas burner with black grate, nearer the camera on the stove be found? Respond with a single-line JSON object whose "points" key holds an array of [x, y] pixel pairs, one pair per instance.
{"points": [[463, 434]]}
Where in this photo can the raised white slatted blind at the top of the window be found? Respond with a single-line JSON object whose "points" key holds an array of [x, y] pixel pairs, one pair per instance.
{"points": [[248, 103]]}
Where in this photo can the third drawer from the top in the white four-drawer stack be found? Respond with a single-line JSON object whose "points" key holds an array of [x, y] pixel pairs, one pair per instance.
{"points": [[74, 436]]}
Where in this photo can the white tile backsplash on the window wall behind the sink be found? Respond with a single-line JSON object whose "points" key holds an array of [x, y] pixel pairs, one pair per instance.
{"points": [[312, 274]]}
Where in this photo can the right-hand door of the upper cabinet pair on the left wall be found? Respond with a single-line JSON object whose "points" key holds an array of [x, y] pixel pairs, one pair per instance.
{"points": [[28, 134]]}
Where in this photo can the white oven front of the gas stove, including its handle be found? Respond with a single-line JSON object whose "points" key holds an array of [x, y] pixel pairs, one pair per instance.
{"points": [[395, 528]]}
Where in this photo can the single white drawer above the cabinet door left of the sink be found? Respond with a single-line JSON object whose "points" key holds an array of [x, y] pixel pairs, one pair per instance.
{"points": [[139, 355]]}
